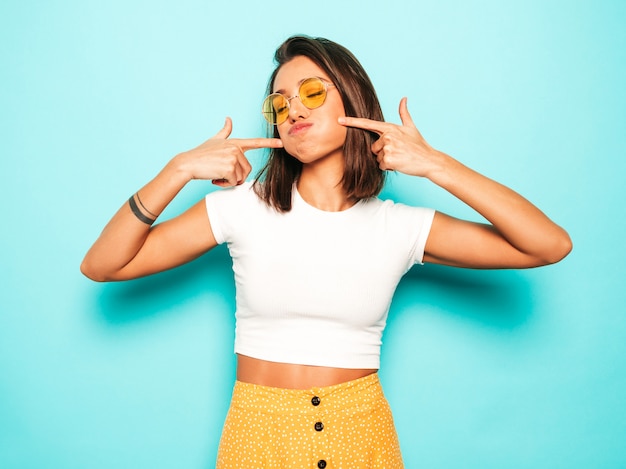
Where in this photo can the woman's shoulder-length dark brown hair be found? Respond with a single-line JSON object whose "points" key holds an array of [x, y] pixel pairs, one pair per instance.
{"points": [[362, 177]]}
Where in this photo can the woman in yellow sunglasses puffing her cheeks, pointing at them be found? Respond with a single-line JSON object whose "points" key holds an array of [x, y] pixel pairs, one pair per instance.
{"points": [[317, 256]]}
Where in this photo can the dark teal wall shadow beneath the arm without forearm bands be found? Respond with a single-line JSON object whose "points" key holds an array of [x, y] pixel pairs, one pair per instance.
{"points": [[502, 299]]}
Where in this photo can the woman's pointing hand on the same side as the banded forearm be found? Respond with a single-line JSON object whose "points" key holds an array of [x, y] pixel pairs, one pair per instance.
{"points": [[220, 159]]}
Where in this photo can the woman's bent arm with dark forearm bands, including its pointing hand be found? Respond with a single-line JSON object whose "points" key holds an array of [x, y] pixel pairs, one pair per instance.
{"points": [[129, 247]]}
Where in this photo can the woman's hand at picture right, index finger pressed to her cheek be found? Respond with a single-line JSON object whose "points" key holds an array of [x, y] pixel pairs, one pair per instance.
{"points": [[399, 147]]}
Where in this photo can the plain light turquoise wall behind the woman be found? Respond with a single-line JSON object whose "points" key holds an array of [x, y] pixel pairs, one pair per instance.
{"points": [[512, 369]]}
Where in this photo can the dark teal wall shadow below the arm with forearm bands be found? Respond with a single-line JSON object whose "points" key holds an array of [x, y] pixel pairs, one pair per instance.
{"points": [[209, 275]]}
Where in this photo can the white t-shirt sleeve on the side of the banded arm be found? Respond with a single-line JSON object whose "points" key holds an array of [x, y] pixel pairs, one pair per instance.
{"points": [[224, 207]]}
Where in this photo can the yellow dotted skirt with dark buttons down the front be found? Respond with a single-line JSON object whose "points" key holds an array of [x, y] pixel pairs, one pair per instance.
{"points": [[346, 426]]}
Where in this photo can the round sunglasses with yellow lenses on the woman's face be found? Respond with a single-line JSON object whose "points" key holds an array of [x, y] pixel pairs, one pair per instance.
{"points": [[312, 94]]}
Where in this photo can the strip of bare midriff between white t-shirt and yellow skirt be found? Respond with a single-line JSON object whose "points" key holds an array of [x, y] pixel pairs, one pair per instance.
{"points": [[290, 376]]}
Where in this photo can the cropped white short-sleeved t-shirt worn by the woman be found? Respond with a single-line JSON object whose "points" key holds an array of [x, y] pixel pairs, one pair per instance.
{"points": [[314, 287]]}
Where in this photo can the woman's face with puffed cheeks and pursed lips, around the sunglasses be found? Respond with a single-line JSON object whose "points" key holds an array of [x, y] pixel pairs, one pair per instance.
{"points": [[310, 135]]}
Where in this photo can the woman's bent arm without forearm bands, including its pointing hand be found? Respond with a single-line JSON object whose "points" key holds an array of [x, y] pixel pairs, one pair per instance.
{"points": [[520, 235]]}
